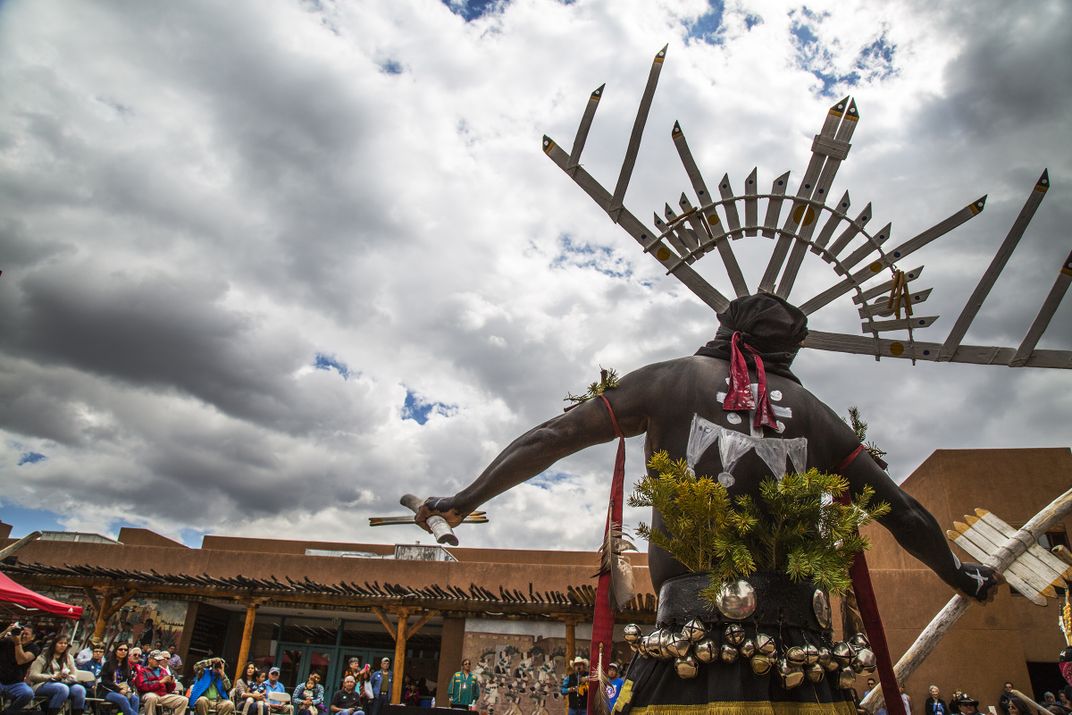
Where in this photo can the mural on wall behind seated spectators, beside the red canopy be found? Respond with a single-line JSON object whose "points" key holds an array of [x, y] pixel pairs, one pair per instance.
{"points": [[148, 622]]}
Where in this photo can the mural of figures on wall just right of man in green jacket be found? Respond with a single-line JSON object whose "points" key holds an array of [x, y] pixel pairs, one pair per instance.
{"points": [[523, 675]]}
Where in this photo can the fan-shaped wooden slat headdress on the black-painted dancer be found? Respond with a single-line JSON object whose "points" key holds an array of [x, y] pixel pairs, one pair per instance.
{"points": [[806, 221]]}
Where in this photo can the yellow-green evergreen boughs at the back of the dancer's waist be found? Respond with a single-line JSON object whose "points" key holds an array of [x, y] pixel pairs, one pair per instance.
{"points": [[796, 527]]}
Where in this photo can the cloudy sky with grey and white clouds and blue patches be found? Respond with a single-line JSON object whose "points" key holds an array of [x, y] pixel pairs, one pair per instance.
{"points": [[269, 265]]}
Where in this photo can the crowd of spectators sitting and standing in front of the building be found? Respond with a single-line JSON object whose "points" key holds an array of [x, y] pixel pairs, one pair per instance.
{"points": [[138, 681]]}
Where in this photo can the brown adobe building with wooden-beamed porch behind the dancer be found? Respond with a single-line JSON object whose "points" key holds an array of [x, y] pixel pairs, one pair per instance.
{"points": [[520, 616]]}
